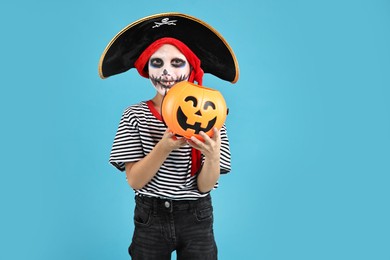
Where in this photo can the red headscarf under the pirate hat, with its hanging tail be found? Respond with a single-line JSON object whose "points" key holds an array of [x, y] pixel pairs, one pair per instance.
{"points": [[195, 75]]}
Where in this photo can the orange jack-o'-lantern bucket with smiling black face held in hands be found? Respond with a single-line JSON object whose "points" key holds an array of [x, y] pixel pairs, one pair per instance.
{"points": [[188, 109]]}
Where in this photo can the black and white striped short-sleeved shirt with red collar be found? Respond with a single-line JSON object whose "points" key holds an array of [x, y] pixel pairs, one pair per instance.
{"points": [[140, 129]]}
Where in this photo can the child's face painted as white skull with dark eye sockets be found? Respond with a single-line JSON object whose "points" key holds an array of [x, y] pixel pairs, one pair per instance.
{"points": [[166, 67]]}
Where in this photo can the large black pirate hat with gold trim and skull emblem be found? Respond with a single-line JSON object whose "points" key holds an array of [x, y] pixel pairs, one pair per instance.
{"points": [[216, 56]]}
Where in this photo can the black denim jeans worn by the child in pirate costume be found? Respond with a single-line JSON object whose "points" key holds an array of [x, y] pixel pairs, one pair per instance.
{"points": [[162, 226]]}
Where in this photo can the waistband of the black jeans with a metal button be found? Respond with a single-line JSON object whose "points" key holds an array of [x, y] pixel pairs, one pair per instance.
{"points": [[172, 205]]}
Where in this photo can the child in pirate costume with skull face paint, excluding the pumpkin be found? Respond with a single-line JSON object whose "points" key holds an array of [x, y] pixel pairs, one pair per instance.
{"points": [[172, 177]]}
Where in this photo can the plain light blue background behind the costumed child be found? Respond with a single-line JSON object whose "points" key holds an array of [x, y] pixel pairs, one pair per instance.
{"points": [[309, 126]]}
